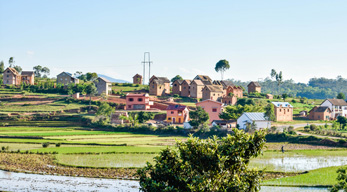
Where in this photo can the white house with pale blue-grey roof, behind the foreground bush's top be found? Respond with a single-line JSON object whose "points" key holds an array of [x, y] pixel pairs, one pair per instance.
{"points": [[257, 118]]}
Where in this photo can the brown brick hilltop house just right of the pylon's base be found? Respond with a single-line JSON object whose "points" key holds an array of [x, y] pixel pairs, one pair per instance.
{"points": [[159, 86]]}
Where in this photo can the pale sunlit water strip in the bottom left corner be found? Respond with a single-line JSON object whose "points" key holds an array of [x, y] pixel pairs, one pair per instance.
{"points": [[10, 181]]}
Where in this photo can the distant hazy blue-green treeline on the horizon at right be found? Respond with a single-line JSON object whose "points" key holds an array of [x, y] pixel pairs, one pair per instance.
{"points": [[317, 88]]}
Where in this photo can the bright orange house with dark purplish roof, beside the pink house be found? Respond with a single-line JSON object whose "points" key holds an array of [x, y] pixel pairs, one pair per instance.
{"points": [[177, 114]]}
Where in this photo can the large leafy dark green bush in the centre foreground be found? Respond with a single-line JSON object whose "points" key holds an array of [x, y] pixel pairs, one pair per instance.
{"points": [[206, 165]]}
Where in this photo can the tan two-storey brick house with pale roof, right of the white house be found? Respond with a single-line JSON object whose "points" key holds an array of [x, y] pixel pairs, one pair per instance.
{"points": [[283, 111]]}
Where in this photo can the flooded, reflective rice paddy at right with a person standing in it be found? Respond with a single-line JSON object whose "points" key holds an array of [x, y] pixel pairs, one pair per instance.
{"points": [[298, 163]]}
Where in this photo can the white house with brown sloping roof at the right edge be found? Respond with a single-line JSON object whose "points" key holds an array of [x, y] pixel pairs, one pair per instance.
{"points": [[338, 107]]}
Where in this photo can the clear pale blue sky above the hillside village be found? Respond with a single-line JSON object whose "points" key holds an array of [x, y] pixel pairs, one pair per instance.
{"points": [[303, 38]]}
